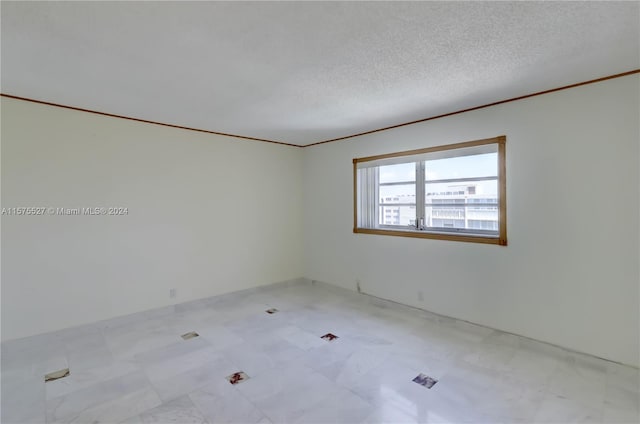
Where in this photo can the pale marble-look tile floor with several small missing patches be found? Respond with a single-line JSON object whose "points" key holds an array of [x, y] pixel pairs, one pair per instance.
{"points": [[138, 369]]}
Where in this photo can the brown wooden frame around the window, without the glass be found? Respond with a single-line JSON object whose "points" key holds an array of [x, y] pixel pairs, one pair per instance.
{"points": [[476, 237]]}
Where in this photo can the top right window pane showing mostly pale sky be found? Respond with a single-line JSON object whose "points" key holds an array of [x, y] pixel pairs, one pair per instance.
{"points": [[485, 165]]}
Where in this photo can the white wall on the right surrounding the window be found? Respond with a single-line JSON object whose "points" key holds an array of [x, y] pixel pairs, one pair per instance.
{"points": [[570, 273]]}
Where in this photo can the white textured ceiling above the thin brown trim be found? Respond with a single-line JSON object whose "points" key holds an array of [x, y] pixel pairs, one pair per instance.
{"points": [[306, 71]]}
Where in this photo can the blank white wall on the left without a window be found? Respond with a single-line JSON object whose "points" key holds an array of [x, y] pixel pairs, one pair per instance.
{"points": [[207, 215]]}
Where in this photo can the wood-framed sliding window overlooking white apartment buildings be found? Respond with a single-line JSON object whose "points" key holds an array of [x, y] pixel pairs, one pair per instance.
{"points": [[452, 192]]}
